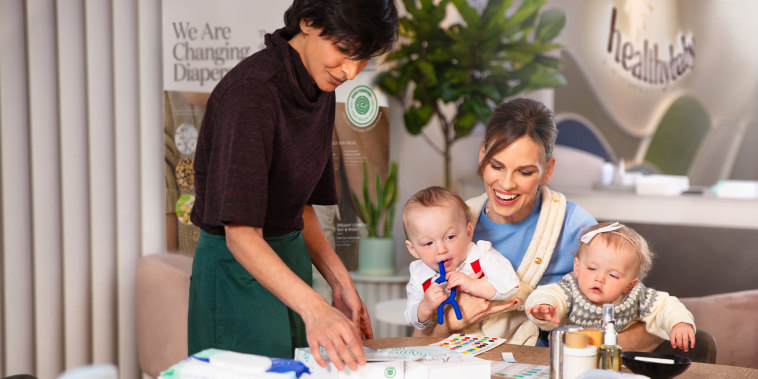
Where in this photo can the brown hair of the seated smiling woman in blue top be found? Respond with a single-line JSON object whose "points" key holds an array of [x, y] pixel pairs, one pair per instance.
{"points": [[514, 119]]}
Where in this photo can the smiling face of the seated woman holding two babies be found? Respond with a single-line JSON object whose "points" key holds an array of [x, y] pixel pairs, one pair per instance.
{"points": [[512, 178]]}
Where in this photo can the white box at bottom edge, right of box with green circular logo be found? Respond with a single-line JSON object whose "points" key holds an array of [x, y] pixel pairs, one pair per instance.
{"points": [[473, 368]]}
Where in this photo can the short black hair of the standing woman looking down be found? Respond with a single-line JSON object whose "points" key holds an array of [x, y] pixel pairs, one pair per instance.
{"points": [[369, 27]]}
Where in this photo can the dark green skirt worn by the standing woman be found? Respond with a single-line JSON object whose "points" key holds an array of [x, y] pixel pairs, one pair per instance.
{"points": [[229, 309]]}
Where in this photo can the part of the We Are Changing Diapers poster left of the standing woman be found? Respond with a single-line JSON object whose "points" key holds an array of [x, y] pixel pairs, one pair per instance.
{"points": [[202, 41]]}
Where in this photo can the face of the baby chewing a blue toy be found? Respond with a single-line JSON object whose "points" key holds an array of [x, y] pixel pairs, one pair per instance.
{"points": [[438, 233]]}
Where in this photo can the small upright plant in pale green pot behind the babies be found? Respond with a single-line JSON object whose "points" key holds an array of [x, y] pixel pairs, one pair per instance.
{"points": [[376, 252]]}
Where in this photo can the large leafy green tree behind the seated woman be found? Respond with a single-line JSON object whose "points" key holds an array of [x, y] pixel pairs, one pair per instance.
{"points": [[470, 66]]}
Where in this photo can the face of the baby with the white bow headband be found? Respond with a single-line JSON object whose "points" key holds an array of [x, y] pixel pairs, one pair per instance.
{"points": [[602, 273]]}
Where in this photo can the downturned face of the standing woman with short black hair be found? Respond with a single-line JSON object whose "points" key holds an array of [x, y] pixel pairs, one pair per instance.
{"points": [[328, 61]]}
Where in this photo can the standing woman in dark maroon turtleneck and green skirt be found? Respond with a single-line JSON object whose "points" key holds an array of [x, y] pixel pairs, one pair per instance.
{"points": [[263, 159]]}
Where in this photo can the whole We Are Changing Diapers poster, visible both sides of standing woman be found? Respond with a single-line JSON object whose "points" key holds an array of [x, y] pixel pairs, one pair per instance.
{"points": [[202, 41]]}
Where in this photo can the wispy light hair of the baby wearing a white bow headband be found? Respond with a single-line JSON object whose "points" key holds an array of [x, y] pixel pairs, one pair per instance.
{"points": [[620, 238]]}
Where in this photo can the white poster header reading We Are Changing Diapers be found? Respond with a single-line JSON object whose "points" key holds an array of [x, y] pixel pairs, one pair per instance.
{"points": [[203, 40]]}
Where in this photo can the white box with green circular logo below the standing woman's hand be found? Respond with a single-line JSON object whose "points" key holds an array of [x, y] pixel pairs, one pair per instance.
{"points": [[372, 370]]}
